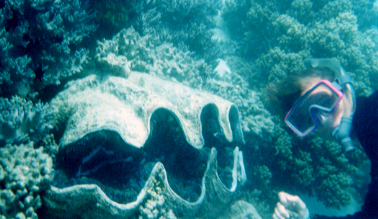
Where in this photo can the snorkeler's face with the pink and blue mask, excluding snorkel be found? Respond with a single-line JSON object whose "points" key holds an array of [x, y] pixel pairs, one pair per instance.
{"points": [[319, 108]]}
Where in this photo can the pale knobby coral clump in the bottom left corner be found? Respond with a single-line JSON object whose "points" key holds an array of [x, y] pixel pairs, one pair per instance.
{"points": [[25, 173]]}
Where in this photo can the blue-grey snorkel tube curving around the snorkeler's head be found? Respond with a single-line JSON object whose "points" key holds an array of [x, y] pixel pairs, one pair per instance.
{"points": [[342, 132]]}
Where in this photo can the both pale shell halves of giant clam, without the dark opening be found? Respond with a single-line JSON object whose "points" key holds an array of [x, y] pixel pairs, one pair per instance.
{"points": [[126, 106]]}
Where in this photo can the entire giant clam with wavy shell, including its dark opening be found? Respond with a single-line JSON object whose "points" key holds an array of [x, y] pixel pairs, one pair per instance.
{"points": [[137, 134]]}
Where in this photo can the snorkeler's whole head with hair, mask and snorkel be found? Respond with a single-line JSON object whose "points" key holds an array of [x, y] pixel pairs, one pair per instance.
{"points": [[317, 99]]}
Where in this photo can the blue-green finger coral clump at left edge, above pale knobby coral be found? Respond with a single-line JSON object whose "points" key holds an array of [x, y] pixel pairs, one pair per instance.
{"points": [[22, 121]]}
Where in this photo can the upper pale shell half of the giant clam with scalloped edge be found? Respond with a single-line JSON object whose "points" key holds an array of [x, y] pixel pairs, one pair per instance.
{"points": [[125, 105]]}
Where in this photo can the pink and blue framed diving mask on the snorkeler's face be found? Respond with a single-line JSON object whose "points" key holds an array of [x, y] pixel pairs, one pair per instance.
{"points": [[314, 107]]}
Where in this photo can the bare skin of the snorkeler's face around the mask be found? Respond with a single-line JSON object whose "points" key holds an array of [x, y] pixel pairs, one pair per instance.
{"points": [[328, 121]]}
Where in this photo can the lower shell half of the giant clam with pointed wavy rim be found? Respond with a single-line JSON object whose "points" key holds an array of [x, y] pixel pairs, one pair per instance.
{"points": [[89, 200]]}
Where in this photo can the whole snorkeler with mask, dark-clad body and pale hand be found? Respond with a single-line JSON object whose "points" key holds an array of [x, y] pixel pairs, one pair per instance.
{"points": [[322, 97]]}
